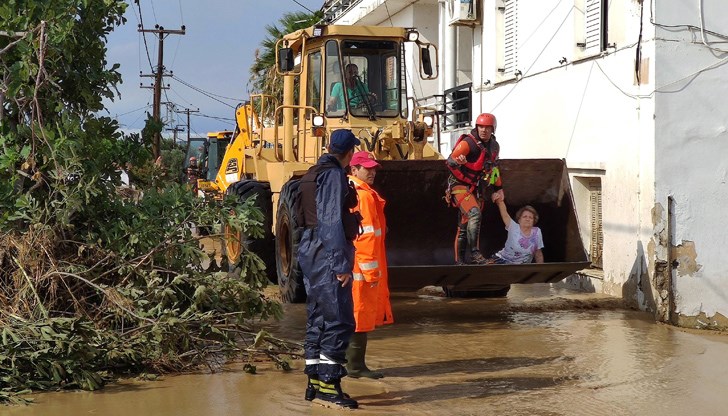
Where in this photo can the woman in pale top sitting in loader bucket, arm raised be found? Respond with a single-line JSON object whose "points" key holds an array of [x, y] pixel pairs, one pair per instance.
{"points": [[524, 242]]}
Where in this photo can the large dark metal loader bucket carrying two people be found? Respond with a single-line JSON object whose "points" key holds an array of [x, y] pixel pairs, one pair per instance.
{"points": [[422, 228]]}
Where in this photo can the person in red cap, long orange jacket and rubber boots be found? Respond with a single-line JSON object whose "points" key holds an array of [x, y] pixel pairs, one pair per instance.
{"points": [[370, 289]]}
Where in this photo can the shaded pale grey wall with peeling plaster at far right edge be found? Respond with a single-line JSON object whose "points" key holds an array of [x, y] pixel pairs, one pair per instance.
{"points": [[692, 150]]}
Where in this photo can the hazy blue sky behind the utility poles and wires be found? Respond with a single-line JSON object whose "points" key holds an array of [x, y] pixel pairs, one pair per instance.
{"points": [[213, 56]]}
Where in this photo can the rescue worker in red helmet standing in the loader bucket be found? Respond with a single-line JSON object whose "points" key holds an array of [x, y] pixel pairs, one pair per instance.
{"points": [[473, 166]]}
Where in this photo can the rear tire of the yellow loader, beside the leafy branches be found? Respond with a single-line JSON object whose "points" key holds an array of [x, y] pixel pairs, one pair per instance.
{"points": [[235, 242]]}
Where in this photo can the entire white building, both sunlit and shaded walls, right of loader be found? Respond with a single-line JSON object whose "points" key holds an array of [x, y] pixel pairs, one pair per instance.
{"points": [[657, 145]]}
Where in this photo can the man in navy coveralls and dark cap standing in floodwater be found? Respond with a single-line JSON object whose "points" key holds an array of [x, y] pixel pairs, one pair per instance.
{"points": [[326, 256]]}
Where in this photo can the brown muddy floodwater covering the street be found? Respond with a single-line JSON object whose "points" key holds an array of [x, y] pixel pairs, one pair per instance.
{"points": [[542, 351]]}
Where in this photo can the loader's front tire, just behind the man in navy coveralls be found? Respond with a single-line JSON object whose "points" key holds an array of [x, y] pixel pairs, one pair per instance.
{"points": [[288, 237]]}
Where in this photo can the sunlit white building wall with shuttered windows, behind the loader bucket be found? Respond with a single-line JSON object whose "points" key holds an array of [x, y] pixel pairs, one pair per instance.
{"points": [[586, 111]]}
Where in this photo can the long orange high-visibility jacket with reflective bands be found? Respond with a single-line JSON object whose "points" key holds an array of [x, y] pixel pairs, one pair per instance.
{"points": [[371, 287]]}
